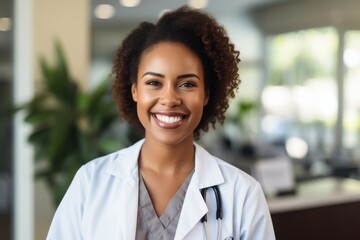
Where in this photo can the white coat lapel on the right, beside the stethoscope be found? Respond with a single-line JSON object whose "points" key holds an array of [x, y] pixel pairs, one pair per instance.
{"points": [[207, 173]]}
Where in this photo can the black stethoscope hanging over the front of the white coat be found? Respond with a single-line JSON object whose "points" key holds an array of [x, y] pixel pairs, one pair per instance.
{"points": [[219, 213]]}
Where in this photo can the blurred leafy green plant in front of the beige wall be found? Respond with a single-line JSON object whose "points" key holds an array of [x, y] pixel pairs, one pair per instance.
{"points": [[69, 126]]}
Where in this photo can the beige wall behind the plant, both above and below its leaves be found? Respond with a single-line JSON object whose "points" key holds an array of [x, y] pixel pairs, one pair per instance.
{"points": [[68, 22]]}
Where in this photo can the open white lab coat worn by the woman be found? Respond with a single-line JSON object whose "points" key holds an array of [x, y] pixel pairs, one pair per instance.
{"points": [[102, 201]]}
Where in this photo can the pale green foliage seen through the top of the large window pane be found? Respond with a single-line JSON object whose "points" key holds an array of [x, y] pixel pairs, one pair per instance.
{"points": [[297, 56]]}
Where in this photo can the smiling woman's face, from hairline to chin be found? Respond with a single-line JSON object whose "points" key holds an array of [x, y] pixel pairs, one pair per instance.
{"points": [[170, 93]]}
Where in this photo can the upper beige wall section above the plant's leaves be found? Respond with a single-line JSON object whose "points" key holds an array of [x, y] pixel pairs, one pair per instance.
{"points": [[65, 21]]}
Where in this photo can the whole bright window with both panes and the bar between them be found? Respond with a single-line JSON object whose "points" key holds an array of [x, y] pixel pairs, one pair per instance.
{"points": [[303, 102]]}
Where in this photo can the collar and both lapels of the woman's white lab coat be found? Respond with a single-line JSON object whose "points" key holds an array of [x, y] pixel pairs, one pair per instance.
{"points": [[207, 173]]}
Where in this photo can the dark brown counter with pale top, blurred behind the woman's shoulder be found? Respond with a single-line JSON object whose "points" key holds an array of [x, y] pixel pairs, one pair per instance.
{"points": [[327, 208]]}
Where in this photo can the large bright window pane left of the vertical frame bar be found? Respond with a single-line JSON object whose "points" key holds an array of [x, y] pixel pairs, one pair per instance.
{"points": [[300, 96]]}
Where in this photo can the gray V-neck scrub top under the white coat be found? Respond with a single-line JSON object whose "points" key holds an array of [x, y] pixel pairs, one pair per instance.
{"points": [[152, 227]]}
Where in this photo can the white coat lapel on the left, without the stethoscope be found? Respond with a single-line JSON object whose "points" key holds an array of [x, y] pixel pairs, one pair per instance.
{"points": [[125, 169]]}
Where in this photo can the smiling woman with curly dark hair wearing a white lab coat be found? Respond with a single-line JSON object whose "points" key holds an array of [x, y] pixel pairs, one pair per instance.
{"points": [[172, 79]]}
